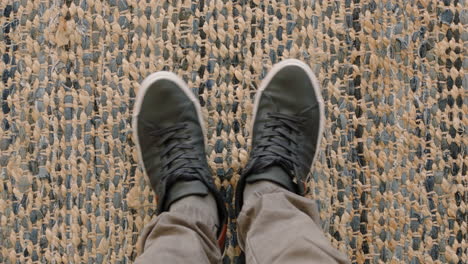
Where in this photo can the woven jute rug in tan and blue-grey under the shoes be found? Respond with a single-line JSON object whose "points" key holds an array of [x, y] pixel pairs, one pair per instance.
{"points": [[390, 180]]}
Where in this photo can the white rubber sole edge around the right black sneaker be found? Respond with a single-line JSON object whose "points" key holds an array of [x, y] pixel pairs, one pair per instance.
{"points": [[315, 83]]}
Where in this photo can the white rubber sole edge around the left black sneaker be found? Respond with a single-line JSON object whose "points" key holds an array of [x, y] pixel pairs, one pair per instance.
{"points": [[162, 75]]}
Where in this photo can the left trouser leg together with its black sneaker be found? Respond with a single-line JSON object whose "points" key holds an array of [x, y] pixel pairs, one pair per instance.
{"points": [[170, 139]]}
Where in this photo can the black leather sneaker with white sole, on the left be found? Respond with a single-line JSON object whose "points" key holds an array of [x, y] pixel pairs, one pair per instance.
{"points": [[170, 139]]}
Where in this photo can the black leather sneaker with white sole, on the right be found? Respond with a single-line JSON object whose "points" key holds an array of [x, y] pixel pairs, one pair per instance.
{"points": [[288, 119]]}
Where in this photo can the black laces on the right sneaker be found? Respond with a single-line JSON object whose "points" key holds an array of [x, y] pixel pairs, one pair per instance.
{"points": [[277, 144]]}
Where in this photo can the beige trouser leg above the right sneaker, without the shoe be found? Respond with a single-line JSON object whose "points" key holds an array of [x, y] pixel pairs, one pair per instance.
{"points": [[278, 226]]}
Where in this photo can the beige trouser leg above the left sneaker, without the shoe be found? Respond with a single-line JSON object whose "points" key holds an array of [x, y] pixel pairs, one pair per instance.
{"points": [[184, 234]]}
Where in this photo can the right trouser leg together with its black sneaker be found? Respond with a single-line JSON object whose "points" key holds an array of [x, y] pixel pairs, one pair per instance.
{"points": [[276, 224]]}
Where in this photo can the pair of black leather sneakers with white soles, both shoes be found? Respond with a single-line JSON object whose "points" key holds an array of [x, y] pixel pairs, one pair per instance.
{"points": [[288, 119]]}
